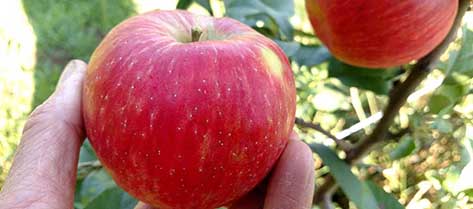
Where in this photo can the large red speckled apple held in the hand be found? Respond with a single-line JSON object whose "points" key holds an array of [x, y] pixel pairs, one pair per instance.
{"points": [[188, 125]]}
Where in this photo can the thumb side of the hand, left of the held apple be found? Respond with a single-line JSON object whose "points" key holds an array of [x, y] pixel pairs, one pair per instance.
{"points": [[43, 174]]}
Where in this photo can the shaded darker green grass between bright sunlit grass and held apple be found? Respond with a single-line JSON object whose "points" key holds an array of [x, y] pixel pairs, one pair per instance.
{"points": [[68, 30]]}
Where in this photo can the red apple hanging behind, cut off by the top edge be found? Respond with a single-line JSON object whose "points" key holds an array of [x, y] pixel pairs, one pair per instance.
{"points": [[381, 33]]}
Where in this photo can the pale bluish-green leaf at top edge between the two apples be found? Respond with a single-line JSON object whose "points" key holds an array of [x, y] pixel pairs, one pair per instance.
{"points": [[278, 10]]}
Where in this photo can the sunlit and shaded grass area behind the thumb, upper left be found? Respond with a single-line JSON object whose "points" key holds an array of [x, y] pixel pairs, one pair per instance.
{"points": [[41, 38]]}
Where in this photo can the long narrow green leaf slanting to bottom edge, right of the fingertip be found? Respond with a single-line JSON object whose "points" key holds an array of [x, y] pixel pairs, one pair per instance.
{"points": [[353, 188]]}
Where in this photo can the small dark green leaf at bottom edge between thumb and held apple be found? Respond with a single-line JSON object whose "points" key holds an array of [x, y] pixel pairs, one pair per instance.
{"points": [[112, 198]]}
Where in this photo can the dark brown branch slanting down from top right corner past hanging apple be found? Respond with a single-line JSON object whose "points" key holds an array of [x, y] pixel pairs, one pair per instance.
{"points": [[397, 99]]}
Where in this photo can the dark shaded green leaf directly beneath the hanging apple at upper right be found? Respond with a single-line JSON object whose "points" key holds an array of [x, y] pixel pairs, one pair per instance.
{"points": [[376, 80]]}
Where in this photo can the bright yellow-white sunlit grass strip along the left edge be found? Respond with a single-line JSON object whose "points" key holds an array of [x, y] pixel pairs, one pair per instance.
{"points": [[17, 60]]}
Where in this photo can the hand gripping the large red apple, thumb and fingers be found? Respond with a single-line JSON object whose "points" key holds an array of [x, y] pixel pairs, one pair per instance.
{"points": [[43, 174]]}
